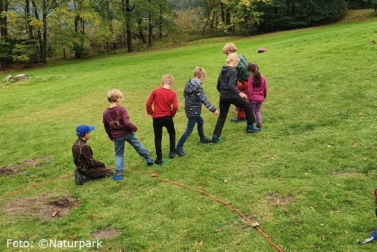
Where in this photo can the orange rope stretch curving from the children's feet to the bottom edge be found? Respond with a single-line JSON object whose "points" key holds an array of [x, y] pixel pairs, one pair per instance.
{"points": [[254, 224]]}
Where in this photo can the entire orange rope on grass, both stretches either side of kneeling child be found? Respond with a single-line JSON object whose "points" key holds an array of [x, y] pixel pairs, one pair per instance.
{"points": [[156, 175]]}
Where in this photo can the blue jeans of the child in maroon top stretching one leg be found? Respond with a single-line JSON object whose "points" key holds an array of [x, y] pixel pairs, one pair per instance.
{"points": [[119, 149]]}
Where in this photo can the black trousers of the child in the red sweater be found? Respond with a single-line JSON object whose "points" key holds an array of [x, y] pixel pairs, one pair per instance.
{"points": [[158, 124]]}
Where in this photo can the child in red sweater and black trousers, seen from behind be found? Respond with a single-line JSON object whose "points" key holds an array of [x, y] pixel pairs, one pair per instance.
{"points": [[165, 105]]}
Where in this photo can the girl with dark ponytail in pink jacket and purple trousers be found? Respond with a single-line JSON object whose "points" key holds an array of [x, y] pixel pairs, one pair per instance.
{"points": [[257, 91]]}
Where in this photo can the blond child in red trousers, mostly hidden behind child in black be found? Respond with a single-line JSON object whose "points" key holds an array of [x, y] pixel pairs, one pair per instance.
{"points": [[242, 78]]}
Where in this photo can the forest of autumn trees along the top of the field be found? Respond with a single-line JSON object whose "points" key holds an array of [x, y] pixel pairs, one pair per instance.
{"points": [[32, 31]]}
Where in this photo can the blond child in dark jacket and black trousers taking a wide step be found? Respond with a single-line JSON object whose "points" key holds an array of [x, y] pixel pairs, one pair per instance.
{"points": [[229, 94]]}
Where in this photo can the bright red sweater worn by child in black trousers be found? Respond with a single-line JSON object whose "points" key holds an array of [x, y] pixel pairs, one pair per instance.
{"points": [[164, 102]]}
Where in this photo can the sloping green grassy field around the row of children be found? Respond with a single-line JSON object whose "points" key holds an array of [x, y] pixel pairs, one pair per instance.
{"points": [[307, 179]]}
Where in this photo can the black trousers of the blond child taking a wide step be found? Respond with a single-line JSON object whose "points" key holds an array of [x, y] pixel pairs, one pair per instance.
{"points": [[224, 105]]}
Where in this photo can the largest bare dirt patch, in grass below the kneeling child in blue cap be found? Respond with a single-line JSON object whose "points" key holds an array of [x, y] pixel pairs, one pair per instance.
{"points": [[43, 206]]}
